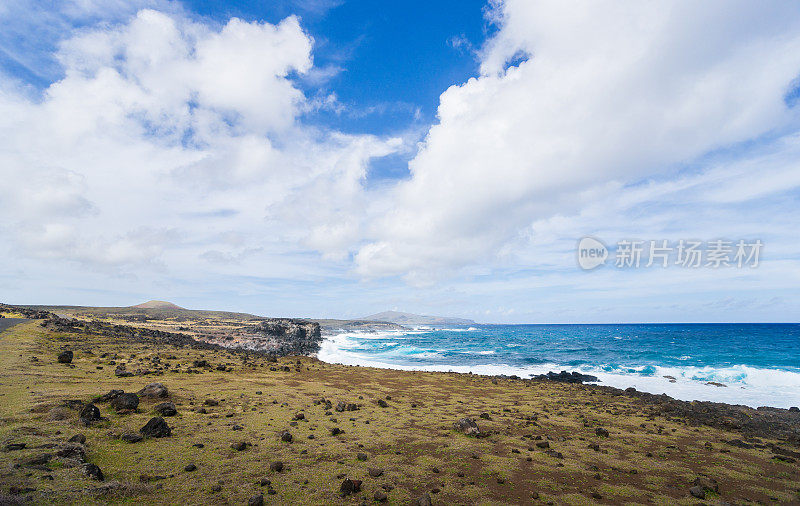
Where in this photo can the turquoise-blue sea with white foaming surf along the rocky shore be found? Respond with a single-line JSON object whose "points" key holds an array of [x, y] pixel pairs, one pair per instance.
{"points": [[759, 364]]}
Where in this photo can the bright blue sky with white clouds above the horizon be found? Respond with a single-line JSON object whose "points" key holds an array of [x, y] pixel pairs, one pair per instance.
{"points": [[338, 158]]}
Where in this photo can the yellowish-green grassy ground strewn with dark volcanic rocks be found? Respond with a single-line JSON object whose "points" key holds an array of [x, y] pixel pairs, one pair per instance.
{"points": [[410, 445]]}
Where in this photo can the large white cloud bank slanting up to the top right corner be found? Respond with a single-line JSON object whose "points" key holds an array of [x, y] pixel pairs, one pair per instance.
{"points": [[606, 92]]}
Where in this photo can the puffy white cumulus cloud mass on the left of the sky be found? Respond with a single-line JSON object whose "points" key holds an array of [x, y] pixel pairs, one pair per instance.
{"points": [[159, 123]]}
